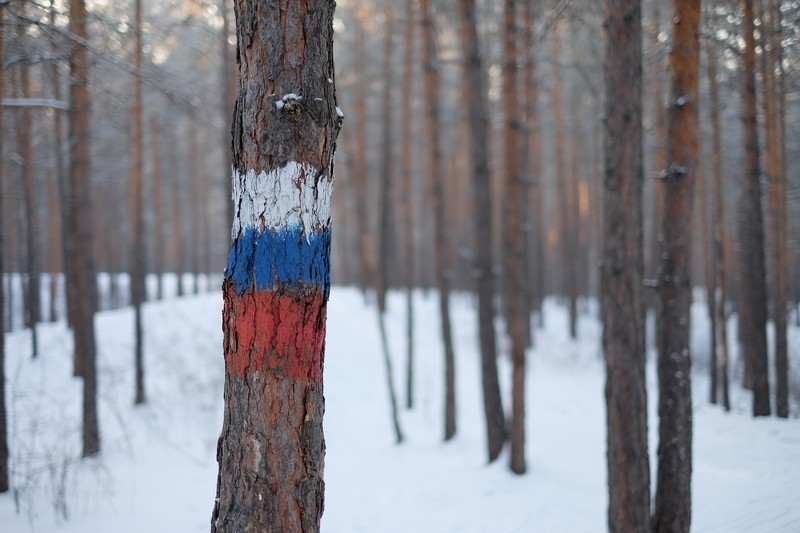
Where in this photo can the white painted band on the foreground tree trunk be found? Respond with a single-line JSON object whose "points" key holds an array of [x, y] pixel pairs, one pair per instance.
{"points": [[282, 198]]}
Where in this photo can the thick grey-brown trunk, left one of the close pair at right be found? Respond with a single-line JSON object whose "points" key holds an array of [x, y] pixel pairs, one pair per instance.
{"points": [[621, 276]]}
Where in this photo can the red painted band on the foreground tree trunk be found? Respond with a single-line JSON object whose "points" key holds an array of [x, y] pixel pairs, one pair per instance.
{"points": [[282, 332]]}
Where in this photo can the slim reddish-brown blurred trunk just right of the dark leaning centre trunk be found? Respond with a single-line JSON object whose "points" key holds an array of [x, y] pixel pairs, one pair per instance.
{"points": [[515, 238]]}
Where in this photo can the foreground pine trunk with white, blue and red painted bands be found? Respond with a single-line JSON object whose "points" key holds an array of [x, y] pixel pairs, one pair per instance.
{"points": [[271, 451]]}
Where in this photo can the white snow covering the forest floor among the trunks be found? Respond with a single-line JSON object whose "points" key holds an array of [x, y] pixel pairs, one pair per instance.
{"points": [[157, 469]]}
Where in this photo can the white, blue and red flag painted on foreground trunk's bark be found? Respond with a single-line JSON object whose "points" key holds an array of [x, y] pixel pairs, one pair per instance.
{"points": [[277, 278]]}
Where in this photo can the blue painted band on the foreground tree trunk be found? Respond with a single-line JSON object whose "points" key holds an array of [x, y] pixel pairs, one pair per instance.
{"points": [[278, 258]]}
